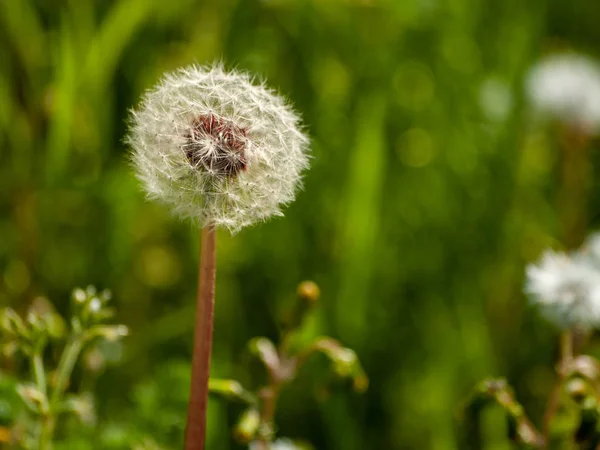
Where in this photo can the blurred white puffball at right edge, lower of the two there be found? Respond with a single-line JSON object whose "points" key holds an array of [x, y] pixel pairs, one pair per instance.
{"points": [[566, 288]]}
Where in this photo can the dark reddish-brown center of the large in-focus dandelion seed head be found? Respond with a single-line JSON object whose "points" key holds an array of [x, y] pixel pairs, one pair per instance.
{"points": [[216, 146]]}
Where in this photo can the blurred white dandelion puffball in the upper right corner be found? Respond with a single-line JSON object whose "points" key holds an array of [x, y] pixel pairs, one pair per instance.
{"points": [[567, 87]]}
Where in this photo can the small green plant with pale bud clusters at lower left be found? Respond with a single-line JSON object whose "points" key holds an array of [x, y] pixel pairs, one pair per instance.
{"points": [[46, 392]]}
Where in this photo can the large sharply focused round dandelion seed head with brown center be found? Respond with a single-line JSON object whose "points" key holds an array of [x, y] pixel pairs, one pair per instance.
{"points": [[217, 148]]}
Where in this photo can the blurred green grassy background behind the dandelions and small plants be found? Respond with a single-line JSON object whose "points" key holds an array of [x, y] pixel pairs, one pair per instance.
{"points": [[429, 191]]}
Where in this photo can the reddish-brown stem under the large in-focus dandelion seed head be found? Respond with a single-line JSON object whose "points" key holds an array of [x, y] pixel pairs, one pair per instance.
{"points": [[195, 433]]}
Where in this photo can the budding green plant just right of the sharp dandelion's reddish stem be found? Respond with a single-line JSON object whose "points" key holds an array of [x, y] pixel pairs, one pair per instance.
{"points": [[282, 362]]}
